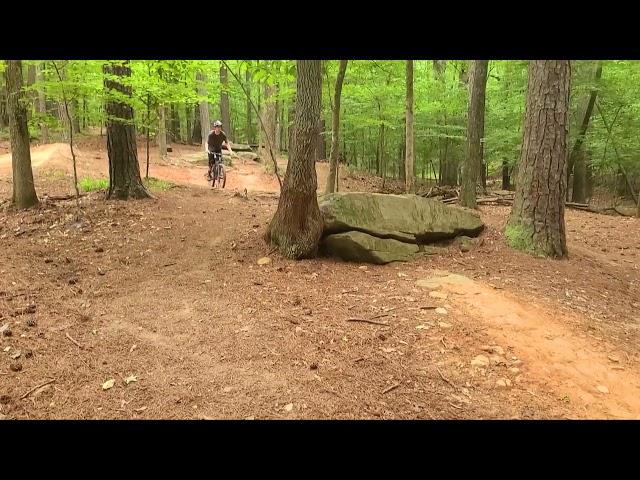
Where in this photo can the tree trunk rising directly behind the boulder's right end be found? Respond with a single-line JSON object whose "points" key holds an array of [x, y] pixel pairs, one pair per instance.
{"points": [[475, 133]]}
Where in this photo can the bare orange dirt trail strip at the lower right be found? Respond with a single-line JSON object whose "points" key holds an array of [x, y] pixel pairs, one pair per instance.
{"points": [[572, 366]]}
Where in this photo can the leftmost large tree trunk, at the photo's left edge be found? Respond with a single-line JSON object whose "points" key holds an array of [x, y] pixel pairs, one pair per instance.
{"points": [[24, 191]]}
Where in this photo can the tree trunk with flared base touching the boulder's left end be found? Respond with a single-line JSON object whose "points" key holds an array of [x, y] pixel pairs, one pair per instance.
{"points": [[296, 227]]}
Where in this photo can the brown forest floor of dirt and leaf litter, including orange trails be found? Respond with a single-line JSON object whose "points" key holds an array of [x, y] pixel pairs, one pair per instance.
{"points": [[165, 298]]}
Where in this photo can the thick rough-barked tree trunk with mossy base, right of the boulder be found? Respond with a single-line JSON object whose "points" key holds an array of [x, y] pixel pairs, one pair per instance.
{"points": [[537, 222]]}
